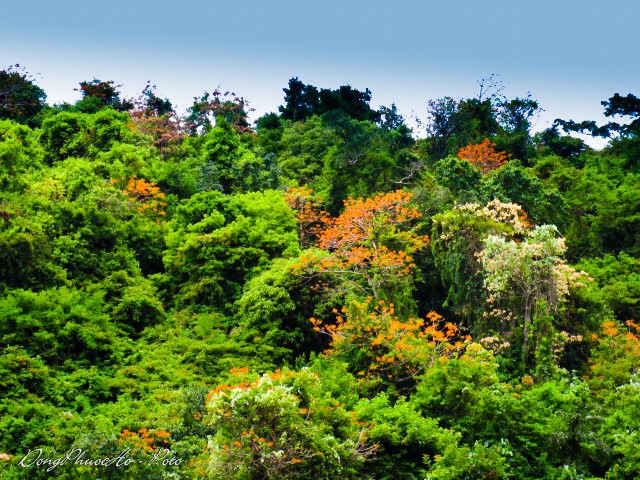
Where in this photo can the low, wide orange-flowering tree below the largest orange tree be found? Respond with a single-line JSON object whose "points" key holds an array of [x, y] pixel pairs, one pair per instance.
{"points": [[378, 344]]}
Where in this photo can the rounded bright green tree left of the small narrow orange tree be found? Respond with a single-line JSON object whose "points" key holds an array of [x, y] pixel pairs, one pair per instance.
{"points": [[218, 242]]}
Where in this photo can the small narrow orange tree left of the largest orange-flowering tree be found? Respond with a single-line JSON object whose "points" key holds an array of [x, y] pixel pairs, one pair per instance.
{"points": [[309, 212]]}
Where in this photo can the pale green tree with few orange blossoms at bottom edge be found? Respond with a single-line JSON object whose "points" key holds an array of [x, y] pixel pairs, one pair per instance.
{"points": [[282, 425]]}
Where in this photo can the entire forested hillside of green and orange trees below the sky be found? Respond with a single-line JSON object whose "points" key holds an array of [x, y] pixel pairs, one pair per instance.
{"points": [[318, 295]]}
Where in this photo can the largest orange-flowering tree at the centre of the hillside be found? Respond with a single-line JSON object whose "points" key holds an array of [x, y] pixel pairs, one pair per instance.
{"points": [[370, 247]]}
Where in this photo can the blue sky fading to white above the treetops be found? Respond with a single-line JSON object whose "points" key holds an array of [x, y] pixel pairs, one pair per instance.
{"points": [[569, 54]]}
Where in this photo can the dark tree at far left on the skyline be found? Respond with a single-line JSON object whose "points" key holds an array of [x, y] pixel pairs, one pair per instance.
{"points": [[21, 99]]}
